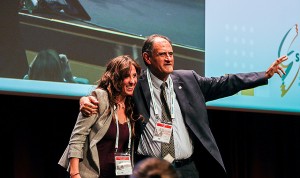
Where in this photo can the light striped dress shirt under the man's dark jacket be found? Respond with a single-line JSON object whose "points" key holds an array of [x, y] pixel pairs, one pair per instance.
{"points": [[182, 141]]}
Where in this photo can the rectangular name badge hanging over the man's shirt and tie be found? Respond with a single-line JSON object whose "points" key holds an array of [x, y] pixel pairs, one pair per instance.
{"points": [[162, 132]]}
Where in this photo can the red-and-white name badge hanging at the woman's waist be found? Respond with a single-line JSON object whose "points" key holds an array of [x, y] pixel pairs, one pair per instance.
{"points": [[123, 164]]}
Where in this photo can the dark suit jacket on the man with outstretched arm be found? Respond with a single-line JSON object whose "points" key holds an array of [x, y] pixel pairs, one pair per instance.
{"points": [[192, 92]]}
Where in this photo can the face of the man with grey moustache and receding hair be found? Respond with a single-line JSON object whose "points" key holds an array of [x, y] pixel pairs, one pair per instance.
{"points": [[161, 62]]}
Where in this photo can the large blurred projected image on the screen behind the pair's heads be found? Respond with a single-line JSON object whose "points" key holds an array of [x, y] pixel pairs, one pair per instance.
{"points": [[61, 47]]}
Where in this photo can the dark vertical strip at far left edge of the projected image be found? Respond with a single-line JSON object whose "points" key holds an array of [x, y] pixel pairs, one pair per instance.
{"points": [[12, 54]]}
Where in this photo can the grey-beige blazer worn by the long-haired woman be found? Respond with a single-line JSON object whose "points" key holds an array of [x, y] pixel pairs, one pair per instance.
{"points": [[87, 132]]}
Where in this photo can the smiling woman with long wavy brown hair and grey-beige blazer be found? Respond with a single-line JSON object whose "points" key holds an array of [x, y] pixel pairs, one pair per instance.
{"points": [[97, 141]]}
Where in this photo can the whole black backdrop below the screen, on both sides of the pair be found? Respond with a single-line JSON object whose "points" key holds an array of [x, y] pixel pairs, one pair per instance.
{"points": [[36, 130]]}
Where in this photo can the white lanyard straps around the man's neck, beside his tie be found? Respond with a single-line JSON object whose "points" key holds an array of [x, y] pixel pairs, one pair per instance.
{"points": [[170, 95]]}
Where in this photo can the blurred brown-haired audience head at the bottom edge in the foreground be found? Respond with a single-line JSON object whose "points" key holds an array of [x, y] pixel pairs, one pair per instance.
{"points": [[154, 168]]}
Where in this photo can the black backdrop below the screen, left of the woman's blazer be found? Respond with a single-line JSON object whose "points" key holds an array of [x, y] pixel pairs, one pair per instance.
{"points": [[35, 133]]}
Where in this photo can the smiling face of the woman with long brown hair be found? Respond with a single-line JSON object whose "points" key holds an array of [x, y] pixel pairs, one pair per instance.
{"points": [[129, 82]]}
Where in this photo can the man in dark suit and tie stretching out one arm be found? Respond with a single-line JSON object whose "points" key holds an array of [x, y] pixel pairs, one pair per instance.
{"points": [[187, 93]]}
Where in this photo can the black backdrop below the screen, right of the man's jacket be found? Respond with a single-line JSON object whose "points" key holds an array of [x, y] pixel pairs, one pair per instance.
{"points": [[258, 145]]}
